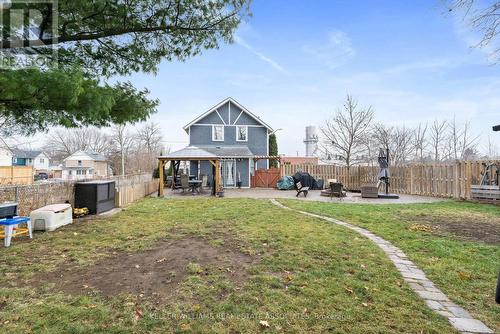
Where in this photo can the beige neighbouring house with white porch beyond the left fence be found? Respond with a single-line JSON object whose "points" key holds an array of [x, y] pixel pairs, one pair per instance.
{"points": [[85, 165]]}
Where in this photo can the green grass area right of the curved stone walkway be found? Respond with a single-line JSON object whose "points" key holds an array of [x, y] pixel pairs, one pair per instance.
{"points": [[465, 270]]}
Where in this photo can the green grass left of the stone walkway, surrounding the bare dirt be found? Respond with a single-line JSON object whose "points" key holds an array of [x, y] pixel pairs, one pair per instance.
{"points": [[309, 276]]}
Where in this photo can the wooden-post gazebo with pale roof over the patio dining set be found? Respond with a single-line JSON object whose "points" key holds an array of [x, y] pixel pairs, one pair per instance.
{"points": [[189, 153]]}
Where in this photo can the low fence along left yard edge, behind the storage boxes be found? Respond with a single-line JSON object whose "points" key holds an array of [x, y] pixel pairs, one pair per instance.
{"points": [[129, 188]]}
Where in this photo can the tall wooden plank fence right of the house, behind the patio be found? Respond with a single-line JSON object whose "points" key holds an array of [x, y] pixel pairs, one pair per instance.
{"points": [[440, 180]]}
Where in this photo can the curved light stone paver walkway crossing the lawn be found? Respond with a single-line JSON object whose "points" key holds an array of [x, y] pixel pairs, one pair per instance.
{"points": [[433, 297]]}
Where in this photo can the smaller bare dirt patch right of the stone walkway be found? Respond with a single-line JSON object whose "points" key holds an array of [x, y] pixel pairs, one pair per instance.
{"points": [[474, 228]]}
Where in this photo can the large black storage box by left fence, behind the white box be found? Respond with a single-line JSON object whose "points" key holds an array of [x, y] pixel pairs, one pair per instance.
{"points": [[97, 196]]}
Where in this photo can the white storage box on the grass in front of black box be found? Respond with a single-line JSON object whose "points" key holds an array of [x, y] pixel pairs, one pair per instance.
{"points": [[50, 217]]}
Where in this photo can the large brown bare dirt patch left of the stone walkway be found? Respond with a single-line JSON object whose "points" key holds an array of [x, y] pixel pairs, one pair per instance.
{"points": [[155, 273]]}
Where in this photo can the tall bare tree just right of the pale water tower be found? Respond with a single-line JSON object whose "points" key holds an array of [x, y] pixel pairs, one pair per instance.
{"points": [[343, 133]]}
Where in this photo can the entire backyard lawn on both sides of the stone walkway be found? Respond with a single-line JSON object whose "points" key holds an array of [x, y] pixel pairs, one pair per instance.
{"points": [[243, 265]]}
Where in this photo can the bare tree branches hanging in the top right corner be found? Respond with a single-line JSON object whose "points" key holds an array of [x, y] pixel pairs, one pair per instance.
{"points": [[484, 17]]}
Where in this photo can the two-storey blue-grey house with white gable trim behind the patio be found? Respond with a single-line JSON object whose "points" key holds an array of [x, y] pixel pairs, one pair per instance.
{"points": [[235, 136]]}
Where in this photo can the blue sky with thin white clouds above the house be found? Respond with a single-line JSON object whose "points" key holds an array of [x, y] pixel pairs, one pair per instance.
{"points": [[294, 61]]}
